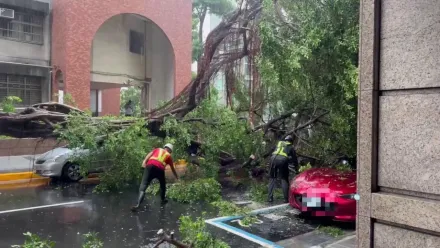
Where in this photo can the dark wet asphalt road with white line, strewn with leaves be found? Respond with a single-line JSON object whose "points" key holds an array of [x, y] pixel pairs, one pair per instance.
{"points": [[107, 214]]}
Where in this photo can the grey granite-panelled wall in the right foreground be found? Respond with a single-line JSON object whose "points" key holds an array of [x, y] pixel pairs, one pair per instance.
{"points": [[399, 124]]}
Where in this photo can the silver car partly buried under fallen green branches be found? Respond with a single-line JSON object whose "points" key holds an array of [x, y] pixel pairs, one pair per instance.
{"points": [[60, 163]]}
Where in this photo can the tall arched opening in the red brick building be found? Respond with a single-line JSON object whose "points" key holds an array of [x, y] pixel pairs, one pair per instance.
{"points": [[130, 50]]}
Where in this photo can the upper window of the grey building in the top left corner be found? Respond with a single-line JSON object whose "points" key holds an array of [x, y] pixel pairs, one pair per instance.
{"points": [[24, 27]]}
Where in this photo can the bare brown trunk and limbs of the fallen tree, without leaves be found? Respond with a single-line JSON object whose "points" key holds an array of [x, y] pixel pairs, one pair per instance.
{"points": [[40, 120]]}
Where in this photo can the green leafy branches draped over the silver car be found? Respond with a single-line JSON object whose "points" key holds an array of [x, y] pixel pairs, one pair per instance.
{"points": [[122, 152]]}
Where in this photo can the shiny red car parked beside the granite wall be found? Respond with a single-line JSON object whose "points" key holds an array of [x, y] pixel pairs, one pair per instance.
{"points": [[325, 192]]}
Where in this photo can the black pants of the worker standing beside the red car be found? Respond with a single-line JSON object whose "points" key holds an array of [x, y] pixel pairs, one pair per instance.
{"points": [[279, 170]]}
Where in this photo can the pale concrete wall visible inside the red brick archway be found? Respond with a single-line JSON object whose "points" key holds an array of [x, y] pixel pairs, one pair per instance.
{"points": [[114, 64]]}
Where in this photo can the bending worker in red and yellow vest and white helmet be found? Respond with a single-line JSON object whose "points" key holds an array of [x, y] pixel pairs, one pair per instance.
{"points": [[154, 167]]}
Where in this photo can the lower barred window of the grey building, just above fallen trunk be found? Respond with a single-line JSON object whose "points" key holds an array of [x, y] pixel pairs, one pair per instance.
{"points": [[26, 87]]}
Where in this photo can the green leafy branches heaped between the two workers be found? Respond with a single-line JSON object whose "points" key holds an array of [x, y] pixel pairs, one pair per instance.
{"points": [[219, 129]]}
